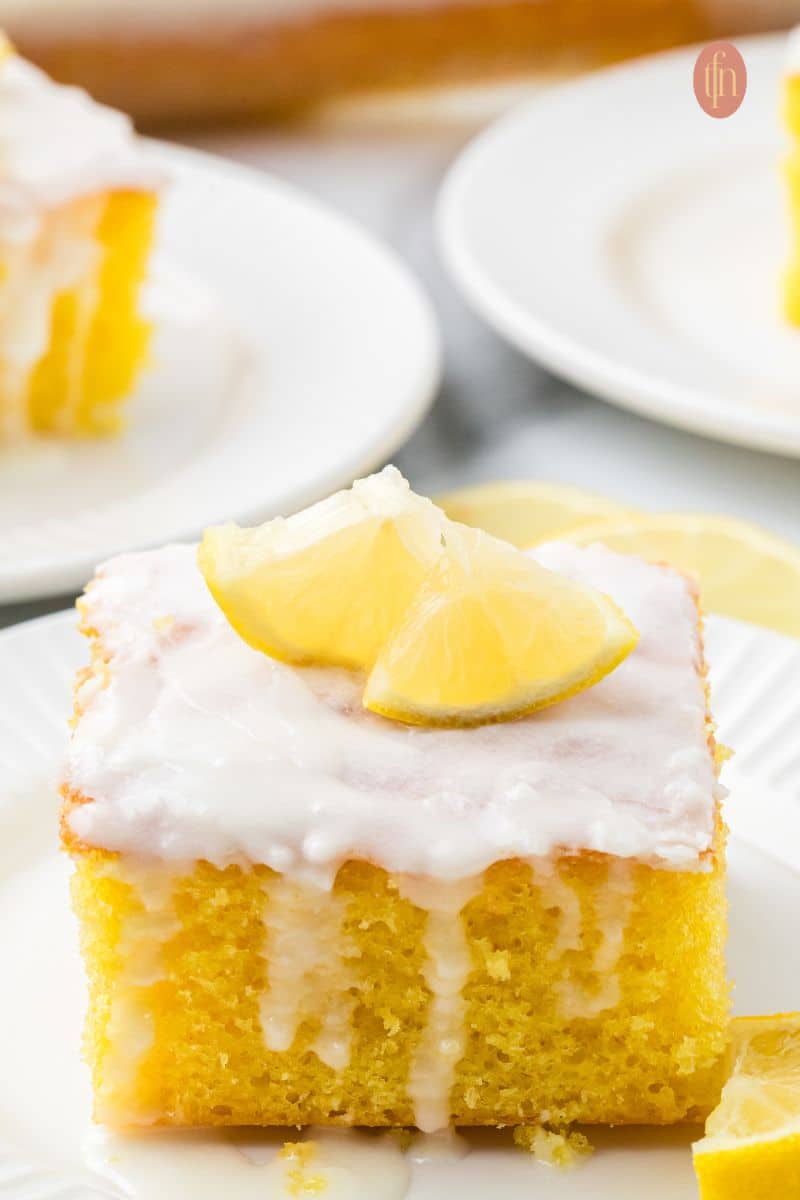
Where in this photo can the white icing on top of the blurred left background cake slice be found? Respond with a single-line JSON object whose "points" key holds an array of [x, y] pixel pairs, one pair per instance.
{"points": [[56, 145]]}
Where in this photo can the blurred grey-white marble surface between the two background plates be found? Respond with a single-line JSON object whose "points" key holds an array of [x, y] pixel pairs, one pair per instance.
{"points": [[498, 416]]}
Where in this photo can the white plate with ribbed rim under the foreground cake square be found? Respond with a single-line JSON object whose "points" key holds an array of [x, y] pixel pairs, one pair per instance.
{"points": [[44, 1102]]}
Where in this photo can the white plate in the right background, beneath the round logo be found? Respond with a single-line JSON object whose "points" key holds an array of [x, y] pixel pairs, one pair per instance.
{"points": [[613, 232]]}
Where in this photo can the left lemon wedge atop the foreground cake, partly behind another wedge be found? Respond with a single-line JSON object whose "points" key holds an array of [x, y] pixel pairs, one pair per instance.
{"points": [[328, 585]]}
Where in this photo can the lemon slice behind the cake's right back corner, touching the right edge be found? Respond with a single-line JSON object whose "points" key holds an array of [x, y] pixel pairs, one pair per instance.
{"points": [[743, 571]]}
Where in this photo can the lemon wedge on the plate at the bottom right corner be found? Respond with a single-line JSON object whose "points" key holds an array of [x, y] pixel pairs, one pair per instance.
{"points": [[751, 1149]]}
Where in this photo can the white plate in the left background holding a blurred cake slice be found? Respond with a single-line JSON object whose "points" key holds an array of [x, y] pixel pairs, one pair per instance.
{"points": [[305, 356]]}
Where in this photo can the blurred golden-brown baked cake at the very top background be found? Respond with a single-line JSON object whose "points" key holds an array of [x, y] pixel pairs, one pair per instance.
{"points": [[200, 59]]}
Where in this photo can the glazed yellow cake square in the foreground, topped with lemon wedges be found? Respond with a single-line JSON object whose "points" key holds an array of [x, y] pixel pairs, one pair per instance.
{"points": [[294, 910]]}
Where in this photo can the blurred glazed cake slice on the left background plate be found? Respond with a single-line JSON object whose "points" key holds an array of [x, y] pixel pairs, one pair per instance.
{"points": [[77, 208]]}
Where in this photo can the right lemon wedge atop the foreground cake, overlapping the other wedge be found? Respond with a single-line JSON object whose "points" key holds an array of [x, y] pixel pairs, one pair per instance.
{"points": [[491, 637]]}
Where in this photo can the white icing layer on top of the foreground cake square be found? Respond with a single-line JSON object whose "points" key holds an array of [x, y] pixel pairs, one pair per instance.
{"points": [[203, 748]]}
